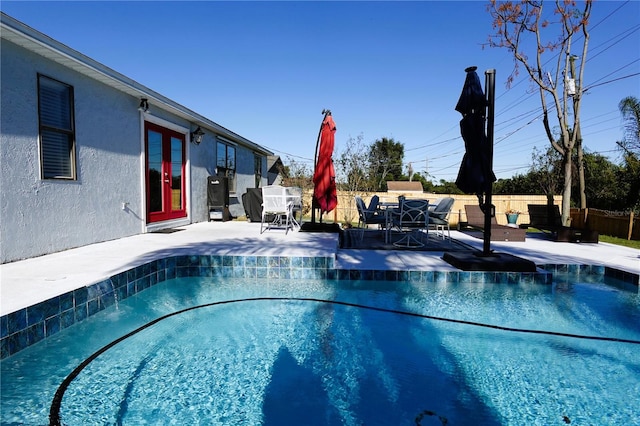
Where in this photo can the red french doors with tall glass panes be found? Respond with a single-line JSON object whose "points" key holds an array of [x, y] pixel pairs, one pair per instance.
{"points": [[166, 193]]}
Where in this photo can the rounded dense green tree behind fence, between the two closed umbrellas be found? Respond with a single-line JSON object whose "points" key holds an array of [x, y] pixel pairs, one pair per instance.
{"points": [[385, 162]]}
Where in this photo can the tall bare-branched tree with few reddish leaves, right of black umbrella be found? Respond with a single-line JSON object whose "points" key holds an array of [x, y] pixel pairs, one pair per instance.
{"points": [[520, 27]]}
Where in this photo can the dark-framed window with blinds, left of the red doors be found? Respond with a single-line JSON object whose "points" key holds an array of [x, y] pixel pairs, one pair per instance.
{"points": [[57, 134]]}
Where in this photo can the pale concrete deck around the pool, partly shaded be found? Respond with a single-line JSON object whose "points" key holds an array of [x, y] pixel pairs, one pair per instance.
{"points": [[27, 282]]}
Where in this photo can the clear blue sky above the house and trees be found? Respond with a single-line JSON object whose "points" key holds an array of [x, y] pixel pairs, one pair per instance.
{"points": [[266, 70]]}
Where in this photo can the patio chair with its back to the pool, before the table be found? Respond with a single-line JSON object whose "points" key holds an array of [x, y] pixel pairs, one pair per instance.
{"points": [[411, 217]]}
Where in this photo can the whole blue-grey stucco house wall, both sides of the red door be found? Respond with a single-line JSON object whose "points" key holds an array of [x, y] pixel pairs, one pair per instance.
{"points": [[39, 216]]}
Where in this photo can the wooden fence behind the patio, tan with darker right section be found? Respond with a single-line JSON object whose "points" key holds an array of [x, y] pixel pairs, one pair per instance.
{"points": [[618, 224]]}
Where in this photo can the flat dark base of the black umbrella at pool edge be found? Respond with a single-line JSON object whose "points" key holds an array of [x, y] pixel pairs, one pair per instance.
{"points": [[477, 261]]}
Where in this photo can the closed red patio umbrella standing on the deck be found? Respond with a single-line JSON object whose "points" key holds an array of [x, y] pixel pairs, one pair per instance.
{"points": [[325, 195]]}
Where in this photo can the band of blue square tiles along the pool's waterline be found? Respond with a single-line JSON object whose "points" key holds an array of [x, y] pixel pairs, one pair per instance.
{"points": [[30, 325]]}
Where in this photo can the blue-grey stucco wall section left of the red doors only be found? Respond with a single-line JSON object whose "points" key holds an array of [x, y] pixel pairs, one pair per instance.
{"points": [[43, 216]]}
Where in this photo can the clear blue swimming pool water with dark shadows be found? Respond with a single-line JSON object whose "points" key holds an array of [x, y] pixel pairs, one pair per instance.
{"points": [[294, 360]]}
